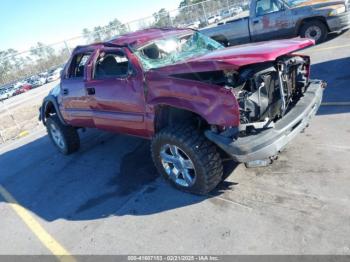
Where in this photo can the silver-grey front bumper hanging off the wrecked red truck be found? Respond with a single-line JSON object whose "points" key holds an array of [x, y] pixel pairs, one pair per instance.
{"points": [[269, 142]]}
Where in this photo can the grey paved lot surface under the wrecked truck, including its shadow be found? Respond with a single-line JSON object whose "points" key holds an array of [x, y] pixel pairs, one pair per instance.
{"points": [[108, 199]]}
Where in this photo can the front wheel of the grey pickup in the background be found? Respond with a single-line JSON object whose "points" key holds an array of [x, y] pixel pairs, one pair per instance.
{"points": [[315, 30]]}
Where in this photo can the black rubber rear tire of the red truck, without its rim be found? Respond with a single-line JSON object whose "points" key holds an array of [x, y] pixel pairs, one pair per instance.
{"points": [[69, 134]]}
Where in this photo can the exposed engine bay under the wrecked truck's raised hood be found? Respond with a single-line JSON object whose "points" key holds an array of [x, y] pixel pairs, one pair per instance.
{"points": [[265, 92]]}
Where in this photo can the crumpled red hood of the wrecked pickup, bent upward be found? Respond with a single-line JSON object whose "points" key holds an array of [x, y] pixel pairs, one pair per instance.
{"points": [[235, 57]]}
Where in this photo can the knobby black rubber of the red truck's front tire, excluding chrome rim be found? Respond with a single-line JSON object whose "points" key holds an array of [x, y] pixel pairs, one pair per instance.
{"points": [[203, 153]]}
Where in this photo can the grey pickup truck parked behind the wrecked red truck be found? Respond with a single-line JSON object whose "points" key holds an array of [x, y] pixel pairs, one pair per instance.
{"points": [[273, 19]]}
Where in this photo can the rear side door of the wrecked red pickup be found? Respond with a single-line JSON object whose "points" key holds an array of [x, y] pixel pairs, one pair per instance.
{"points": [[74, 105]]}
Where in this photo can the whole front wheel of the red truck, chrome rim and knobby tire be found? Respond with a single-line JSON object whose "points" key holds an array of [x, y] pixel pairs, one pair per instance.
{"points": [[187, 159]]}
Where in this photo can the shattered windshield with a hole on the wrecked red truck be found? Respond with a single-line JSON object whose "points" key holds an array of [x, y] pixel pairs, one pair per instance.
{"points": [[168, 51]]}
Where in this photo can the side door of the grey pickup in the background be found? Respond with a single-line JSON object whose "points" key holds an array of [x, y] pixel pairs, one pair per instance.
{"points": [[270, 19]]}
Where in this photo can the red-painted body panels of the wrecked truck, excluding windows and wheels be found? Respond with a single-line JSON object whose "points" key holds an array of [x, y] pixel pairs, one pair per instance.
{"points": [[129, 105]]}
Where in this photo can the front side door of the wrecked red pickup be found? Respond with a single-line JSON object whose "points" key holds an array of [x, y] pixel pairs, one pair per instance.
{"points": [[116, 93]]}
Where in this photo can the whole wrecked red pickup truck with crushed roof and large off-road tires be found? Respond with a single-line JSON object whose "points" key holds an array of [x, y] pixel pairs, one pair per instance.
{"points": [[195, 99]]}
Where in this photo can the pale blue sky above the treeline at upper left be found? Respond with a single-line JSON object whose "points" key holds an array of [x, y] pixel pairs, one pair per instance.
{"points": [[25, 22]]}
